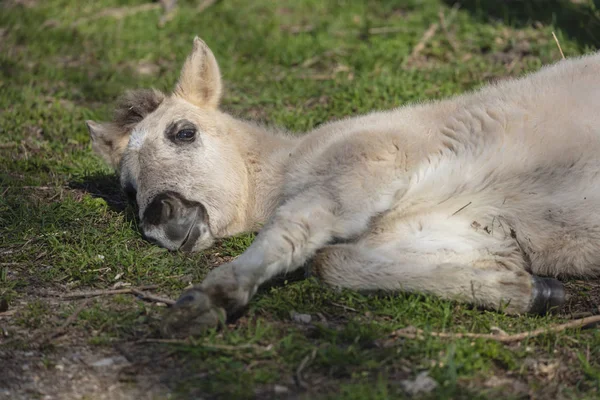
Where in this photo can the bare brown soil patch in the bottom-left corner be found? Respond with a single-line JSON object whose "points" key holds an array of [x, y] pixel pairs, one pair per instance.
{"points": [[54, 361]]}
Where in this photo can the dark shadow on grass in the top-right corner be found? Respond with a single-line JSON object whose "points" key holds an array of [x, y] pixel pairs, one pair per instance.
{"points": [[579, 22]]}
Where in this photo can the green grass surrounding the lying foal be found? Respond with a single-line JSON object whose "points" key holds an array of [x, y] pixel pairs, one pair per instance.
{"points": [[65, 226]]}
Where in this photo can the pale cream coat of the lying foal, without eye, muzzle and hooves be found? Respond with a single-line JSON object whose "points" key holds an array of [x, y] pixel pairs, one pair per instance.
{"points": [[465, 198]]}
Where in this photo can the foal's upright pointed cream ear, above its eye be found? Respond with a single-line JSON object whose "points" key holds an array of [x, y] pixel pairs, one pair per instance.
{"points": [[200, 79]]}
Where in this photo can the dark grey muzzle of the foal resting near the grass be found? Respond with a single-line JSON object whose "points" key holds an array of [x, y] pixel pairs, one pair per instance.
{"points": [[173, 222]]}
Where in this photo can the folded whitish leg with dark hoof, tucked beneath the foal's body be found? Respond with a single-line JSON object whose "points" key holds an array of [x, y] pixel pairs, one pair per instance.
{"points": [[480, 270]]}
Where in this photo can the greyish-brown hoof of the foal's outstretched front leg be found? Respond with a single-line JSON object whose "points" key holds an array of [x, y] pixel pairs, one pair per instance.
{"points": [[192, 315]]}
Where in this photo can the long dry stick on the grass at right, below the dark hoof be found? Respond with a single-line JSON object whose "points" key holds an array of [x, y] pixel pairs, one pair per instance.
{"points": [[414, 333]]}
